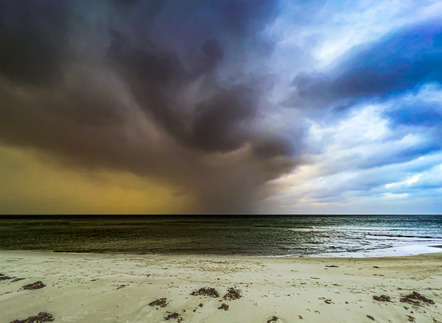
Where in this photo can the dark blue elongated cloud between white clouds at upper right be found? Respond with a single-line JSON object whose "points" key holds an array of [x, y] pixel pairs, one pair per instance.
{"points": [[400, 62]]}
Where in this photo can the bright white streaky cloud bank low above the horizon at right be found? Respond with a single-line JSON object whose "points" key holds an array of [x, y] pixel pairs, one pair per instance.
{"points": [[357, 162]]}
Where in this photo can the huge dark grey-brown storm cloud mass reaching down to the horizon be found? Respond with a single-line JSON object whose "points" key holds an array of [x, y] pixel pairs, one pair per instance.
{"points": [[74, 77]]}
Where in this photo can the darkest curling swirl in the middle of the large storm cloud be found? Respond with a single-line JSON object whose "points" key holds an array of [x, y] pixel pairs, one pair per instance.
{"points": [[155, 77]]}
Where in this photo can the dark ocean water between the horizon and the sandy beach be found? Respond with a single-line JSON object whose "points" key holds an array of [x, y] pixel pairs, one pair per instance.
{"points": [[226, 235]]}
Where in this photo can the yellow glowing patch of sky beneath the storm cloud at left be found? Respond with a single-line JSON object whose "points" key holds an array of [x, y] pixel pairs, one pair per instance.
{"points": [[29, 185]]}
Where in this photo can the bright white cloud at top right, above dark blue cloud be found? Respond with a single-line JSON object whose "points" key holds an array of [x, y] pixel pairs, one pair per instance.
{"points": [[334, 27]]}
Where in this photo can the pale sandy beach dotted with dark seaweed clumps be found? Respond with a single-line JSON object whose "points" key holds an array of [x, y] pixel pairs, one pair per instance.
{"points": [[118, 288]]}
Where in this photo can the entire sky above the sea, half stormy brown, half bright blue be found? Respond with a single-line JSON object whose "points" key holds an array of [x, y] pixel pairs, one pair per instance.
{"points": [[227, 106]]}
